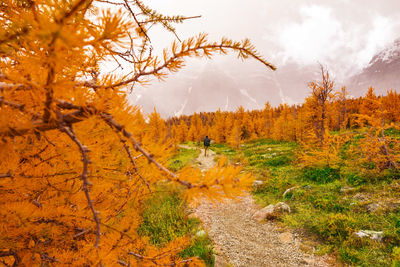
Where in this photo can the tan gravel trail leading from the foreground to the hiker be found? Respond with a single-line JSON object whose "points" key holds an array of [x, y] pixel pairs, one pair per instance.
{"points": [[241, 241]]}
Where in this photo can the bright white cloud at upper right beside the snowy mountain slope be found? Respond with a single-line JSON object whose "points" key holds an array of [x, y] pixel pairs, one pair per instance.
{"points": [[343, 39]]}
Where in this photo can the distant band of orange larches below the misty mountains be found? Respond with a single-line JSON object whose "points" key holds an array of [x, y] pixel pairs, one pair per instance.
{"points": [[310, 120]]}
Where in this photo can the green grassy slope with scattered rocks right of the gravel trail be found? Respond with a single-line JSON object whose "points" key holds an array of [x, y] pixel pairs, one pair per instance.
{"points": [[321, 203]]}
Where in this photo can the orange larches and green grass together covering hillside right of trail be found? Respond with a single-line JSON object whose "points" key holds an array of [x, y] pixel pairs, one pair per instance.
{"points": [[334, 160]]}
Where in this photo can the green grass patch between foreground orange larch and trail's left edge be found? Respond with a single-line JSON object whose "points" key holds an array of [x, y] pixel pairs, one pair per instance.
{"points": [[165, 219]]}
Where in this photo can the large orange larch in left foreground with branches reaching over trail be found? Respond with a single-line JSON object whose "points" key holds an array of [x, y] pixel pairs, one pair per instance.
{"points": [[74, 161]]}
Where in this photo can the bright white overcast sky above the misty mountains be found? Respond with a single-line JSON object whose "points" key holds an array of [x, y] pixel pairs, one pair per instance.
{"points": [[342, 34]]}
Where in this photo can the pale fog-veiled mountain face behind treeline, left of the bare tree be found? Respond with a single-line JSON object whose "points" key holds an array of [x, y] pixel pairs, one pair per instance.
{"points": [[226, 88]]}
